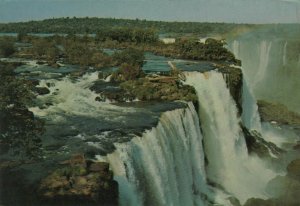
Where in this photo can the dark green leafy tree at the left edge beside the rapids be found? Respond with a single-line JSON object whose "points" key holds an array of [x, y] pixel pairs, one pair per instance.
{"points": [[19, 130]]}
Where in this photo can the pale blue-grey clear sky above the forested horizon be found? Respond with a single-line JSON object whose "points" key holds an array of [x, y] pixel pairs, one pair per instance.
{"points": [[232, 11]]}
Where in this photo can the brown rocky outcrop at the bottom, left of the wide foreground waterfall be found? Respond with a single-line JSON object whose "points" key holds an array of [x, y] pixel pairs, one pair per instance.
{"points": [[79, 182]]}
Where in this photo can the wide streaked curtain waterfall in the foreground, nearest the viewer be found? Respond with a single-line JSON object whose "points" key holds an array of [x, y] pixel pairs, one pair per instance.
{"points": [[165, 166]]}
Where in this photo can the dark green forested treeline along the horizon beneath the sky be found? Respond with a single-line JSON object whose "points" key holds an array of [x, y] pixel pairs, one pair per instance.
{"points": [[97, 25]]}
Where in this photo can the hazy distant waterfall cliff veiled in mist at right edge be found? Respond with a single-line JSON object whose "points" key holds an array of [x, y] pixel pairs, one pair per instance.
{"points": [[271, 66]]}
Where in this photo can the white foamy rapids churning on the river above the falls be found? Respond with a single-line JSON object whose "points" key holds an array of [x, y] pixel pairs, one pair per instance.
{"points": [[73, 97]]}
